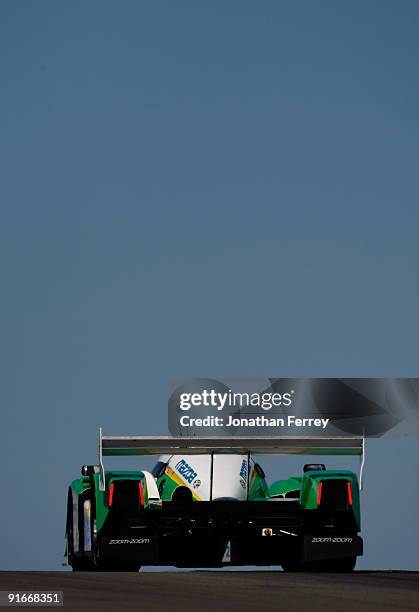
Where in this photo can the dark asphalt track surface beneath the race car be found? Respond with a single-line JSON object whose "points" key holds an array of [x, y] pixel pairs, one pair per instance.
{"points": [[215, 591]]}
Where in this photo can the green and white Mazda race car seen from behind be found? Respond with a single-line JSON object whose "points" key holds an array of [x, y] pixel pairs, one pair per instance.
{"points": [[207, 503]]}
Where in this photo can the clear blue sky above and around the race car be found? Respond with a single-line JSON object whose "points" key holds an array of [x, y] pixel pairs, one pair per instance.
{"points": [[212, 189]]}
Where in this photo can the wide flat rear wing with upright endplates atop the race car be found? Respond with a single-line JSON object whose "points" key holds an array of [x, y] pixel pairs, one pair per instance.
{"points": [[193, 445]]}
